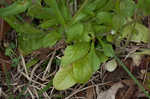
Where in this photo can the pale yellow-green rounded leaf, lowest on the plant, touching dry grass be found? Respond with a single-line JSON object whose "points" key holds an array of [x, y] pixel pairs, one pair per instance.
{"points": [[63, 78]]}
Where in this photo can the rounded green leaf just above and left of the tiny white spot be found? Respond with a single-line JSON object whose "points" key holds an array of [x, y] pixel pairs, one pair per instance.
{"points": [[104, 18]]}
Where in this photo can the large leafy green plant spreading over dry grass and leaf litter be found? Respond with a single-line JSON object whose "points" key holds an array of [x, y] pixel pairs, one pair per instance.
{"points": [[89, 32]]}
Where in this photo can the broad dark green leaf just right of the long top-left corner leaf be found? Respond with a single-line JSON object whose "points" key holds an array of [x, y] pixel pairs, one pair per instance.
{"points": [[39, 12]]}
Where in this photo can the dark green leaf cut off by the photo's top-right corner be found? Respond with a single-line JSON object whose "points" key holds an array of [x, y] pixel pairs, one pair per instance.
{"points": [[144, 5]]}
